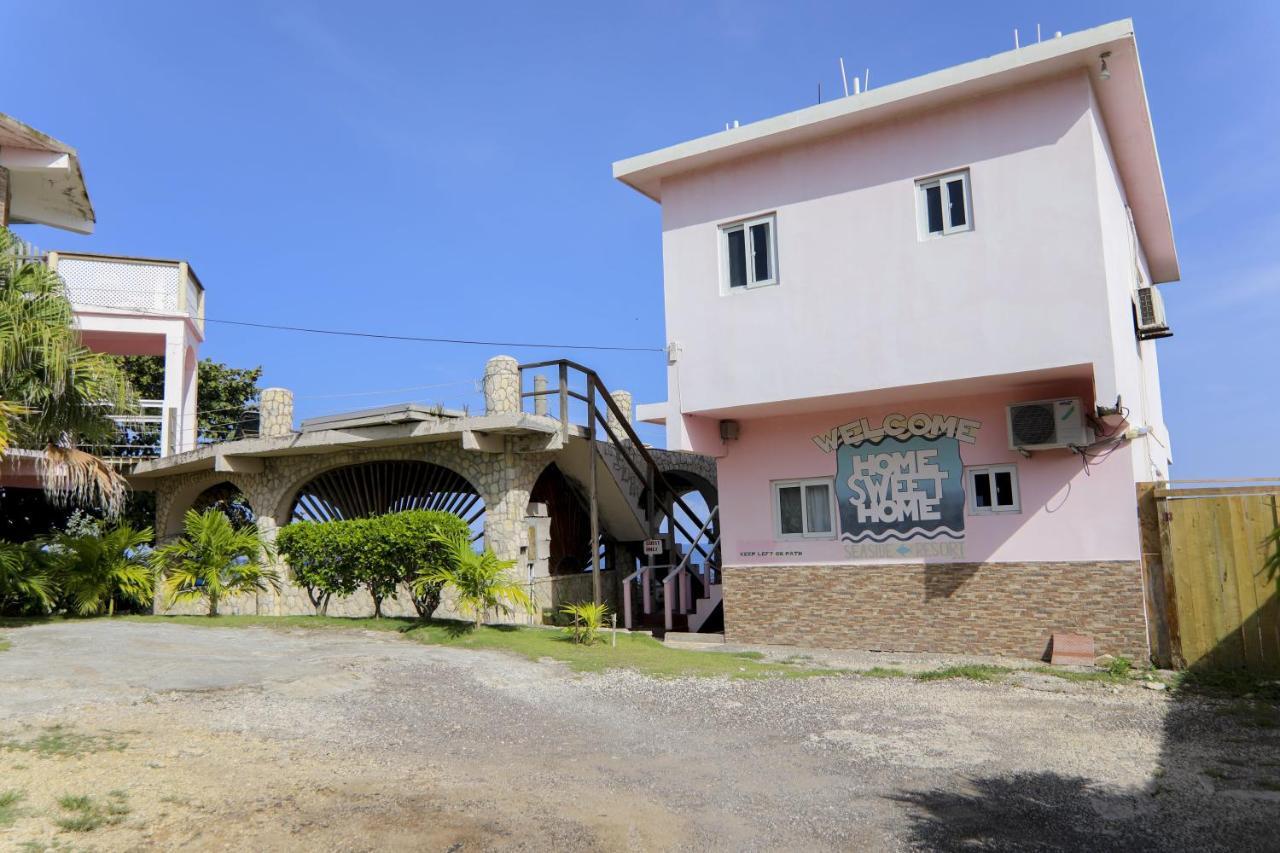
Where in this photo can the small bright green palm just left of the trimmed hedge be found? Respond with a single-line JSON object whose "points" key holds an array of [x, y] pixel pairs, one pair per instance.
{"points": [[214, 559]]}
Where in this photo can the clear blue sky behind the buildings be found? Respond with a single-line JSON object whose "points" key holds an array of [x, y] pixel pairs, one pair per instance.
{"points": [[445, 170]]}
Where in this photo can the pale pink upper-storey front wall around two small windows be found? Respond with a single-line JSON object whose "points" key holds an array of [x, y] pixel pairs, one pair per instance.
{"points": [[862, 302]]}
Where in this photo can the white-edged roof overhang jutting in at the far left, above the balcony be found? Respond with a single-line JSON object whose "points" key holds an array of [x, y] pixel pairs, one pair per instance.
{"points": [[47, 185]]}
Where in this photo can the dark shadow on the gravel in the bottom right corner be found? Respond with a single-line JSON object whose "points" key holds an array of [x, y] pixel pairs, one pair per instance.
{"points": [[1217, 788]]}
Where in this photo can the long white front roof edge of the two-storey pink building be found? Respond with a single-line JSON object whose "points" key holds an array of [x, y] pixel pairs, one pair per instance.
{"points": [[874, 99]]}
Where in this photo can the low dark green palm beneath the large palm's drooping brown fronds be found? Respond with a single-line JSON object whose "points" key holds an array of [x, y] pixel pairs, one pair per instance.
{"points": [[97, 569]]}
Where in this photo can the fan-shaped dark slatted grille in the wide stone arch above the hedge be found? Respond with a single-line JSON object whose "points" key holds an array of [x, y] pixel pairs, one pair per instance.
{"points": [[378, 489]]}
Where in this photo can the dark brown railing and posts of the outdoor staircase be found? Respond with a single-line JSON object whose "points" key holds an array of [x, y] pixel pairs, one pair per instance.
{"points": [[633, 451]]}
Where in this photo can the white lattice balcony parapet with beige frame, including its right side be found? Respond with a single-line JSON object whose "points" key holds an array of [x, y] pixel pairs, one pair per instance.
{"points": [[131, 285]]}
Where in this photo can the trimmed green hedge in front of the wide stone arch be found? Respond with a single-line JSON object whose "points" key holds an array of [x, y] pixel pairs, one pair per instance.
{"points": [[378, 554]]}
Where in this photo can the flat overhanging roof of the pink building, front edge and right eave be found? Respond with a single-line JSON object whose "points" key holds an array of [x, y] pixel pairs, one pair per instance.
{"points": [[1122, 101]]}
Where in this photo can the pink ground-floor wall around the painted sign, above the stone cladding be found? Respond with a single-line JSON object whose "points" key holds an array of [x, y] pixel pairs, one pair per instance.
{"points": [[1067, 513]]}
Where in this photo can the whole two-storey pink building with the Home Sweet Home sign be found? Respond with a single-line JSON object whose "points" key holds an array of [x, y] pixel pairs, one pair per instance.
{"points": [[863, 297]]}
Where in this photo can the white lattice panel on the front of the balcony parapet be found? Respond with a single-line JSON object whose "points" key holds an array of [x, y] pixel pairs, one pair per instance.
{"points": [[122, 285]]}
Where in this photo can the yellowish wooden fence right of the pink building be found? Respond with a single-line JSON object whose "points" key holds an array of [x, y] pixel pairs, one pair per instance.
{"points": [[1209, 599]]}
